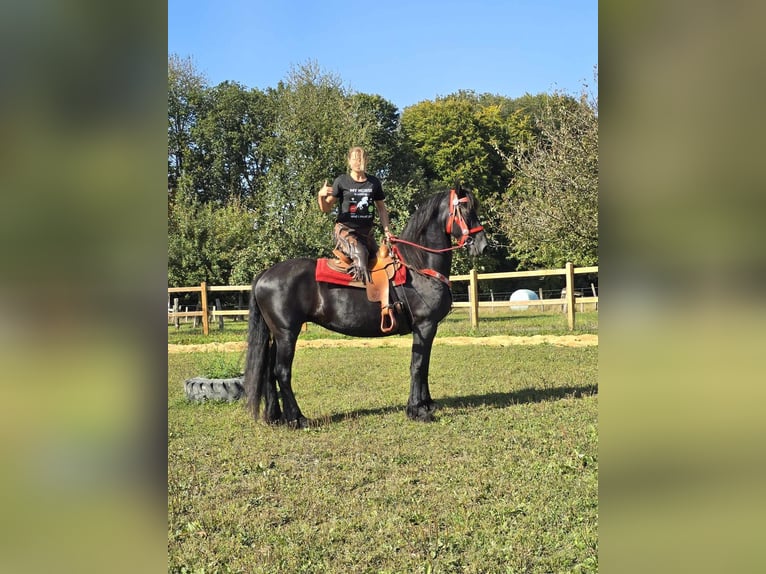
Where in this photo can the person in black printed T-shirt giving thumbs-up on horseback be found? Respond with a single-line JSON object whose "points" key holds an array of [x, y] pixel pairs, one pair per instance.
{"points": [[356, 191]]}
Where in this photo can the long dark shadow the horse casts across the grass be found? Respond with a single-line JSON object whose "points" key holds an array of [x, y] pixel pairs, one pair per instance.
{"points": [[493, 400]]}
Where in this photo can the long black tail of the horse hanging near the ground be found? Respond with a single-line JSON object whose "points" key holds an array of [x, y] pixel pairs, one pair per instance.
{"points": [[258, 364]]}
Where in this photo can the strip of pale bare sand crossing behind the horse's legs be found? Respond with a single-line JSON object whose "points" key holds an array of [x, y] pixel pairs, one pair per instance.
{"points": [[494, 341]]}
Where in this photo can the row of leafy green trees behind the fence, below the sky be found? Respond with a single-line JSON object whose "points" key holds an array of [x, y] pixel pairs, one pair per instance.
{"points": [[244, 166]]}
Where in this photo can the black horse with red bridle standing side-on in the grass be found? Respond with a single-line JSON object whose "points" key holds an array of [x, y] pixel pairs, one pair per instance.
{"points": [[287, 295]]}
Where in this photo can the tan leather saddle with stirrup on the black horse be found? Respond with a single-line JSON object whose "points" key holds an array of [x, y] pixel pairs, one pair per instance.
{"points": [[383, 269]]}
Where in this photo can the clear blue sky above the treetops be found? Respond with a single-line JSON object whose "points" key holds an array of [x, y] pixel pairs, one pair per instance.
{"points": [[404, 51]]}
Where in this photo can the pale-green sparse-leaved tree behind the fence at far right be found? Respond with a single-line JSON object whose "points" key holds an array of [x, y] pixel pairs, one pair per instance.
{"points": [[551, 208]]}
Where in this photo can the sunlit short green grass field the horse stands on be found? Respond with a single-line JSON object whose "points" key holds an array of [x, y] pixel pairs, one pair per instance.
{"points": [[505, 480]]}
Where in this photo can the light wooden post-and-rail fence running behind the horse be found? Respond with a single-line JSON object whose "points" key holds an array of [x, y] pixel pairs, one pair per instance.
{"points": [[569, 300]]}
